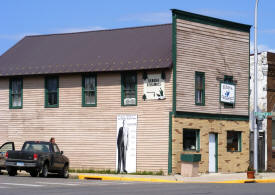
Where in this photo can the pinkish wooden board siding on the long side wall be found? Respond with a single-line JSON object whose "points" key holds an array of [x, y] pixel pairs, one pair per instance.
{"points": [[87, 135]]}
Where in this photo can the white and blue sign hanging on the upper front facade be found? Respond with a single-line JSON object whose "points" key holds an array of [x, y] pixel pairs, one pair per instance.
{"points": [[227, 93]]}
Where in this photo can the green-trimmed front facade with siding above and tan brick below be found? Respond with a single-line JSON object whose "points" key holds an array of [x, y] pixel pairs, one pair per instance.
{"points": [[212, 61]]}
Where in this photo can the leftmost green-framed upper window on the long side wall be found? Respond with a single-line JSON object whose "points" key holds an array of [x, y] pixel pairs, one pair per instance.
{"points": [[16, 92]]}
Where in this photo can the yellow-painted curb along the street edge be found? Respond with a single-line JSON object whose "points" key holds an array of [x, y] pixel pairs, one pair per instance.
{"points": [[111, 178]]}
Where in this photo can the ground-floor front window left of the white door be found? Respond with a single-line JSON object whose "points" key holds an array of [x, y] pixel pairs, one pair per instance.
{"points": [[191, 139]]}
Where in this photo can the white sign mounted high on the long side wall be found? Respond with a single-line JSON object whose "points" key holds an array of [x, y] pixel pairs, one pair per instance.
{"points": [[154, 87]]}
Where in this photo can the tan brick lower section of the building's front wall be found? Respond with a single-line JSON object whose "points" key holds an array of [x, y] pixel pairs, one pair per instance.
{"points": [[228, 162]]}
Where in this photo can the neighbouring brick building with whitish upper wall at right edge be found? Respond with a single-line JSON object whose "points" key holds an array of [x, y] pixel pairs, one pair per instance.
{"points": [[266, 102]]}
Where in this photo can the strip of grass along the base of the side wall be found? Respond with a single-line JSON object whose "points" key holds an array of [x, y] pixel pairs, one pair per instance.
{"points": [[108, 171]]}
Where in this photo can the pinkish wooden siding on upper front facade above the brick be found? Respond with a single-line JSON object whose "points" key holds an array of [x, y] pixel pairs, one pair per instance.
{"points": [[217, 52]]}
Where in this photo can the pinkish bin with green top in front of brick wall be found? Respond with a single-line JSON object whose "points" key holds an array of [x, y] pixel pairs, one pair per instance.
{"points": [[190, 164]]}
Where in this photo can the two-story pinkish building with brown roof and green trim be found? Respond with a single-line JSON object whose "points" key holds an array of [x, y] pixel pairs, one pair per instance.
{"points": [[177, 89]]}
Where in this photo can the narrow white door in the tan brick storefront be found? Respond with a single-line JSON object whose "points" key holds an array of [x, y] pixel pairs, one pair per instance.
{"points": [[213, 152]]}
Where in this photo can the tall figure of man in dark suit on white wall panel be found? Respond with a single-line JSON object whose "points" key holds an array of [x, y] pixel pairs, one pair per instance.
{"points": [[122, 146]]}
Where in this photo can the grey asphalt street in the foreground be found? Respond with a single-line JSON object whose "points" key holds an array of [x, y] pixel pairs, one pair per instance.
{"points": [[24, 185]]}
